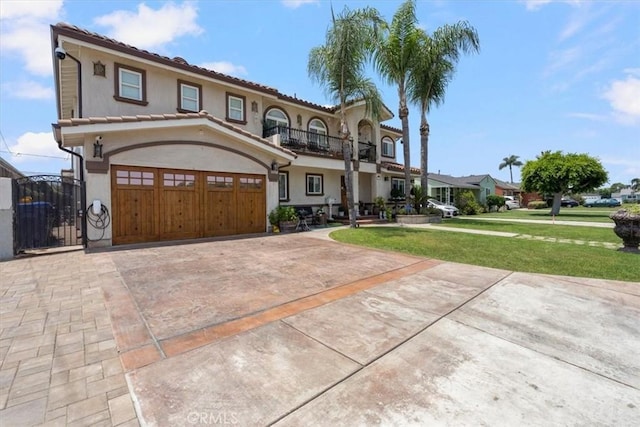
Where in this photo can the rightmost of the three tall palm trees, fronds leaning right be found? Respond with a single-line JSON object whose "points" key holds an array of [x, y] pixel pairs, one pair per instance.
{"points": [[433, 69]]}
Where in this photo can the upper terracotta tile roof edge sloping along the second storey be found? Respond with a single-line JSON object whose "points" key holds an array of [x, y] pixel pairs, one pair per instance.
{"points": [[78, 33]]}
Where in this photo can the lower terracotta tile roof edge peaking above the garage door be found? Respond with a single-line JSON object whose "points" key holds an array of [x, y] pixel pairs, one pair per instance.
{"points": [[163, 117]]}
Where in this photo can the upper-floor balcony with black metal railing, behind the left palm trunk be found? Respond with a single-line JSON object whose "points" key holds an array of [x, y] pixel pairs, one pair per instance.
{"points": [[304, 142]]}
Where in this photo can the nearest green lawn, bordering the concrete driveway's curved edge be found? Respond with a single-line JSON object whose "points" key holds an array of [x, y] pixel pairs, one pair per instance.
{"points": [[507, 253]]}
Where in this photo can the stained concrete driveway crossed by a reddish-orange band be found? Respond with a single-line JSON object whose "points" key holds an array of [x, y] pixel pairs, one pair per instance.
{"points": [[299, 330]]}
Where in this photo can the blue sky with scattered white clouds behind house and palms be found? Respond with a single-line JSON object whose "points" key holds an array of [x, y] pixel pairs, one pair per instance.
{"points": [[551, 75]]}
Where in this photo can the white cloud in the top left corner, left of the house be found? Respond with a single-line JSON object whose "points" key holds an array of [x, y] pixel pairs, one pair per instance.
{"points": [[25, 32]]}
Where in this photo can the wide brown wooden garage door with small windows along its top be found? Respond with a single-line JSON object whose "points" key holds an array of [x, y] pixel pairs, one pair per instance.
{"points": [[167, 204]]}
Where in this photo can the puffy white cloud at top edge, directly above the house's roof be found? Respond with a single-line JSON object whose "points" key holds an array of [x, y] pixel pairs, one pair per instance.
{"points": [[148, 28]]}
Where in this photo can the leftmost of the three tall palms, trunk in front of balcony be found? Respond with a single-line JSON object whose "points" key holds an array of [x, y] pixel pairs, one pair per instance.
{"points": [[339, 67]]}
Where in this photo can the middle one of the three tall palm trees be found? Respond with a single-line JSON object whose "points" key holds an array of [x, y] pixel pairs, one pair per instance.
{"points": [[393, 59]]}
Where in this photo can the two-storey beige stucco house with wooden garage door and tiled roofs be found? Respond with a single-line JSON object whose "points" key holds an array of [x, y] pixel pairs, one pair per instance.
{"points": [[173, 151]]}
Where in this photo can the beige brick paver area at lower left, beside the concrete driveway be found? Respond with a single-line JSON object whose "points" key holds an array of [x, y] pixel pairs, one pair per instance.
{"points": [[59, 361]]}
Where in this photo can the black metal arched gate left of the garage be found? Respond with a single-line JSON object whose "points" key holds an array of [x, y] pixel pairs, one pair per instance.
{"points": [[48, 212]]}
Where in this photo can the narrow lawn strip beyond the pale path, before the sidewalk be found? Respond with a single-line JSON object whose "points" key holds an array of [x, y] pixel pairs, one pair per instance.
{"points": [[573, 232]]}
